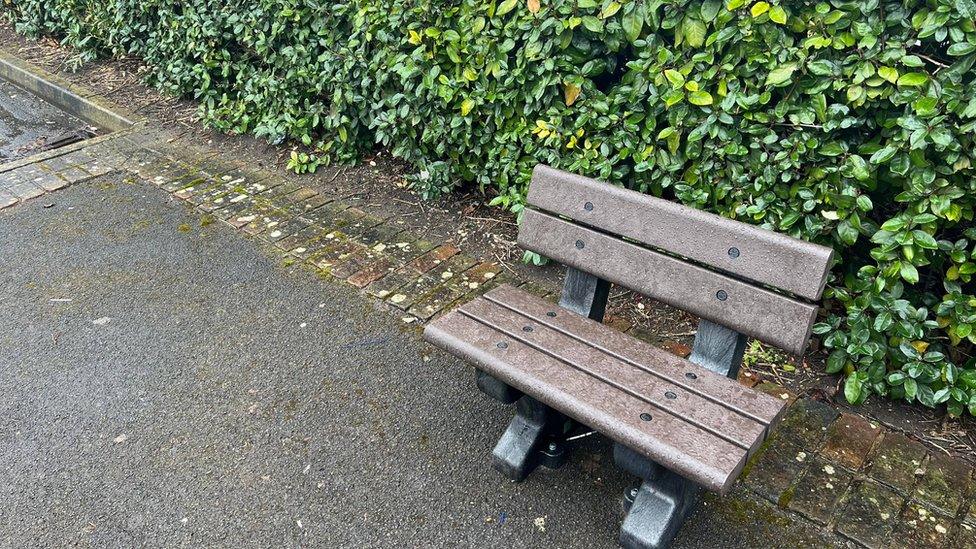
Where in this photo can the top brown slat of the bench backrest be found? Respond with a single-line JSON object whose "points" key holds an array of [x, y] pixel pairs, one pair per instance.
{"points": [[763, 256]]}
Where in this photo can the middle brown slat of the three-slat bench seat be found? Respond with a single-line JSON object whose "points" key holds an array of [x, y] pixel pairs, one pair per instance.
{"points": [[683, 405]]}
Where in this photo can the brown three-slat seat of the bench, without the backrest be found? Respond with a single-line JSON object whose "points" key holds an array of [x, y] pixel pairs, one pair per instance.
{"points": [[697, 423]]}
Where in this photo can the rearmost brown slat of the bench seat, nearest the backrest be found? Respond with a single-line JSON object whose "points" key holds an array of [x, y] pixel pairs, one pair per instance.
{"points": [[760, 407]]}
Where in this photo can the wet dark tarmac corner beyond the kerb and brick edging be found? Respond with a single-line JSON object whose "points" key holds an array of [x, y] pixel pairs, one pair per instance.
{"points": [[29, 125]]}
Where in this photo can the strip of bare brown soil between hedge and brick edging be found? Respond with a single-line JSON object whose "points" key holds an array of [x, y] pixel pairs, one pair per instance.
{"points": [[377, 184]]}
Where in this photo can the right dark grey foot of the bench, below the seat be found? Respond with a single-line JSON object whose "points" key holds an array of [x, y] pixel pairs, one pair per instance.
{"points": [[659, 507]]}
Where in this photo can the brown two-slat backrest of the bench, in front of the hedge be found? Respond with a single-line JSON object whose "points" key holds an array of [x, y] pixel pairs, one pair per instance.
{"points": [[725, 271]]}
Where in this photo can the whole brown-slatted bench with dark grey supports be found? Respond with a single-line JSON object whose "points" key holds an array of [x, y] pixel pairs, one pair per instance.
{"points": [[679, 425]]}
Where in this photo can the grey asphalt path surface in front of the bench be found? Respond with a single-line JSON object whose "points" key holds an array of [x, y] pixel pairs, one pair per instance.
{"points": [[195, 392]]}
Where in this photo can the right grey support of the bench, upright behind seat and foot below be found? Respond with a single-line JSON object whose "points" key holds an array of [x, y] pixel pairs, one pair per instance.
{"points": [[659, 506]]}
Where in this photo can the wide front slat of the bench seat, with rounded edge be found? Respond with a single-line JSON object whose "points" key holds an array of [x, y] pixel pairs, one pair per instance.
{"points": [[695, 454]]}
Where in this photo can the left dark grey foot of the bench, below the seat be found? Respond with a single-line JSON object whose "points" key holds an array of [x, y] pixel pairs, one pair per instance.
{"points": [[533, 438]]}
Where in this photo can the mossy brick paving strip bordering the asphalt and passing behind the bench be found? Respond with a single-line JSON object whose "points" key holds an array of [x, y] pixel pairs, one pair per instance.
{"points": [[873, 486]]}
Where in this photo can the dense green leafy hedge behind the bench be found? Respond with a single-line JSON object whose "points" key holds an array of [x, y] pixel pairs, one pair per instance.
{"points": [[848, 123]]}
